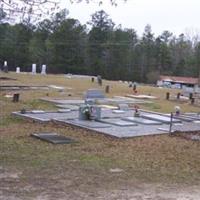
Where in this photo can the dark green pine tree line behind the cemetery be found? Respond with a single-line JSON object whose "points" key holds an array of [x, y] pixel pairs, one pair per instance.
{"points": [[67, 46]]}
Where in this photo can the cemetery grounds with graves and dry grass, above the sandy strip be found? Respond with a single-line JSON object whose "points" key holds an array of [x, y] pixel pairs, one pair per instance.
{"points": [[74, 125]]}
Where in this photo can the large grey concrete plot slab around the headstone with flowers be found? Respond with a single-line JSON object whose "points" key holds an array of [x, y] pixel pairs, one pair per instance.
{"points": [[113, 124]]}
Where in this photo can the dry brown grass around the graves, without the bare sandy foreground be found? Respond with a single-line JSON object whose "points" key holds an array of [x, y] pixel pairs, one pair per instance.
{"points": [[86, 164]]}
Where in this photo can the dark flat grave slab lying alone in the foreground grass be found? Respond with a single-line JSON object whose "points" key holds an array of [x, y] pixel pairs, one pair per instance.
{"points": [[53, 138]]}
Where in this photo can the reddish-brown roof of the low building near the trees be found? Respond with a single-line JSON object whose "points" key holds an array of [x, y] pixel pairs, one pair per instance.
{"points": [[179, 79]]}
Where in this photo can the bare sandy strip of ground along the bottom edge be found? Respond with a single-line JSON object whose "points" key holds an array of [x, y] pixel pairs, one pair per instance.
{"points": [[13, 187]]}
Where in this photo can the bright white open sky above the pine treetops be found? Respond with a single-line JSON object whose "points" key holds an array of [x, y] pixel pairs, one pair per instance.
{"points": [[173, 15]]}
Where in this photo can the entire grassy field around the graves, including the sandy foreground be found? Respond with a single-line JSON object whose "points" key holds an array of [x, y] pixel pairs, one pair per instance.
{"points": [[151, 167]]}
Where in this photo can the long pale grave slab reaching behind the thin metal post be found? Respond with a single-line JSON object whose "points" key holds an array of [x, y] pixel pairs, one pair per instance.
{"points": [[160, 118]]}
